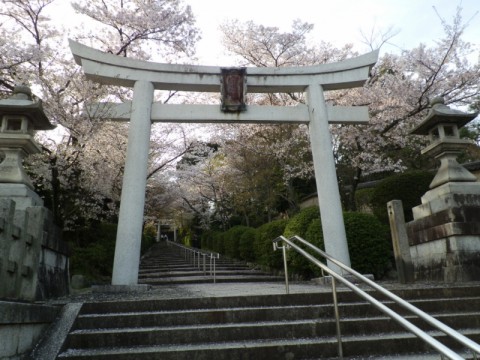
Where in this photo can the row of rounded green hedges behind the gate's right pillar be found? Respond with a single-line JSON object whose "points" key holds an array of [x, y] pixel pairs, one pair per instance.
{"points": [[368, 241]]}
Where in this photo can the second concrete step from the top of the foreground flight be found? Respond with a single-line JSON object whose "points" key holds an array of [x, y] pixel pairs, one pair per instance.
{"points": [[350, 317]]}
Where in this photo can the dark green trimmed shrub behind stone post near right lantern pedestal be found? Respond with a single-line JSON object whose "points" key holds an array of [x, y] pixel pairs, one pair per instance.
{"points": [[408, 187]]}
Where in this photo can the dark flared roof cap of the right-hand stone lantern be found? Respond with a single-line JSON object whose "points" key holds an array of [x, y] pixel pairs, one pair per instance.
{"points": [[442, 114]]}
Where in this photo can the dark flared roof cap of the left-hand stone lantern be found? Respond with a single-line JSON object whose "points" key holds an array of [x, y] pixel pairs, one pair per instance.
{"points": [[22, 104]]}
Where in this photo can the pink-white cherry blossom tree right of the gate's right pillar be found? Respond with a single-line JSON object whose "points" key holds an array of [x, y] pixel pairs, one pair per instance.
{"points": [[398, 95]]}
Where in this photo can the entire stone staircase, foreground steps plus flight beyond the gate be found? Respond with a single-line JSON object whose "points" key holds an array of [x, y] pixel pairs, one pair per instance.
{"points": [[249, 324]]}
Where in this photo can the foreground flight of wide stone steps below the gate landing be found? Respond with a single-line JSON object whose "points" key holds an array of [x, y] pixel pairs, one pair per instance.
{"points": [[295, 326]]}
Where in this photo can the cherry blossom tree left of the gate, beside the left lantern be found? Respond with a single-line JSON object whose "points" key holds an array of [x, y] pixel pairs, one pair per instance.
{"points": [[80, 169]]}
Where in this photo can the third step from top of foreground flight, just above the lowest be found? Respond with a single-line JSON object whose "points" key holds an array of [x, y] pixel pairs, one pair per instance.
{"points": [[233, 331]]}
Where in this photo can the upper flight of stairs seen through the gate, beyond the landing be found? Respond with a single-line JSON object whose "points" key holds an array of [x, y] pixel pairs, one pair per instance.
{"points": [[165, 265]]}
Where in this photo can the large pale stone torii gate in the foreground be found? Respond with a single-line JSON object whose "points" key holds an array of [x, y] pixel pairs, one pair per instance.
{"points": [[145, 77]]}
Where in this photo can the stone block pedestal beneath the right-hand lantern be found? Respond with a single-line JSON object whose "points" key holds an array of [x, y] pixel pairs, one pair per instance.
{"points": [[444, 236]]}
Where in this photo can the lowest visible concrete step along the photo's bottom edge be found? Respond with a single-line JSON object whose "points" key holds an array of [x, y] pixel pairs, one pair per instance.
{"points": [[398, 345]]}
